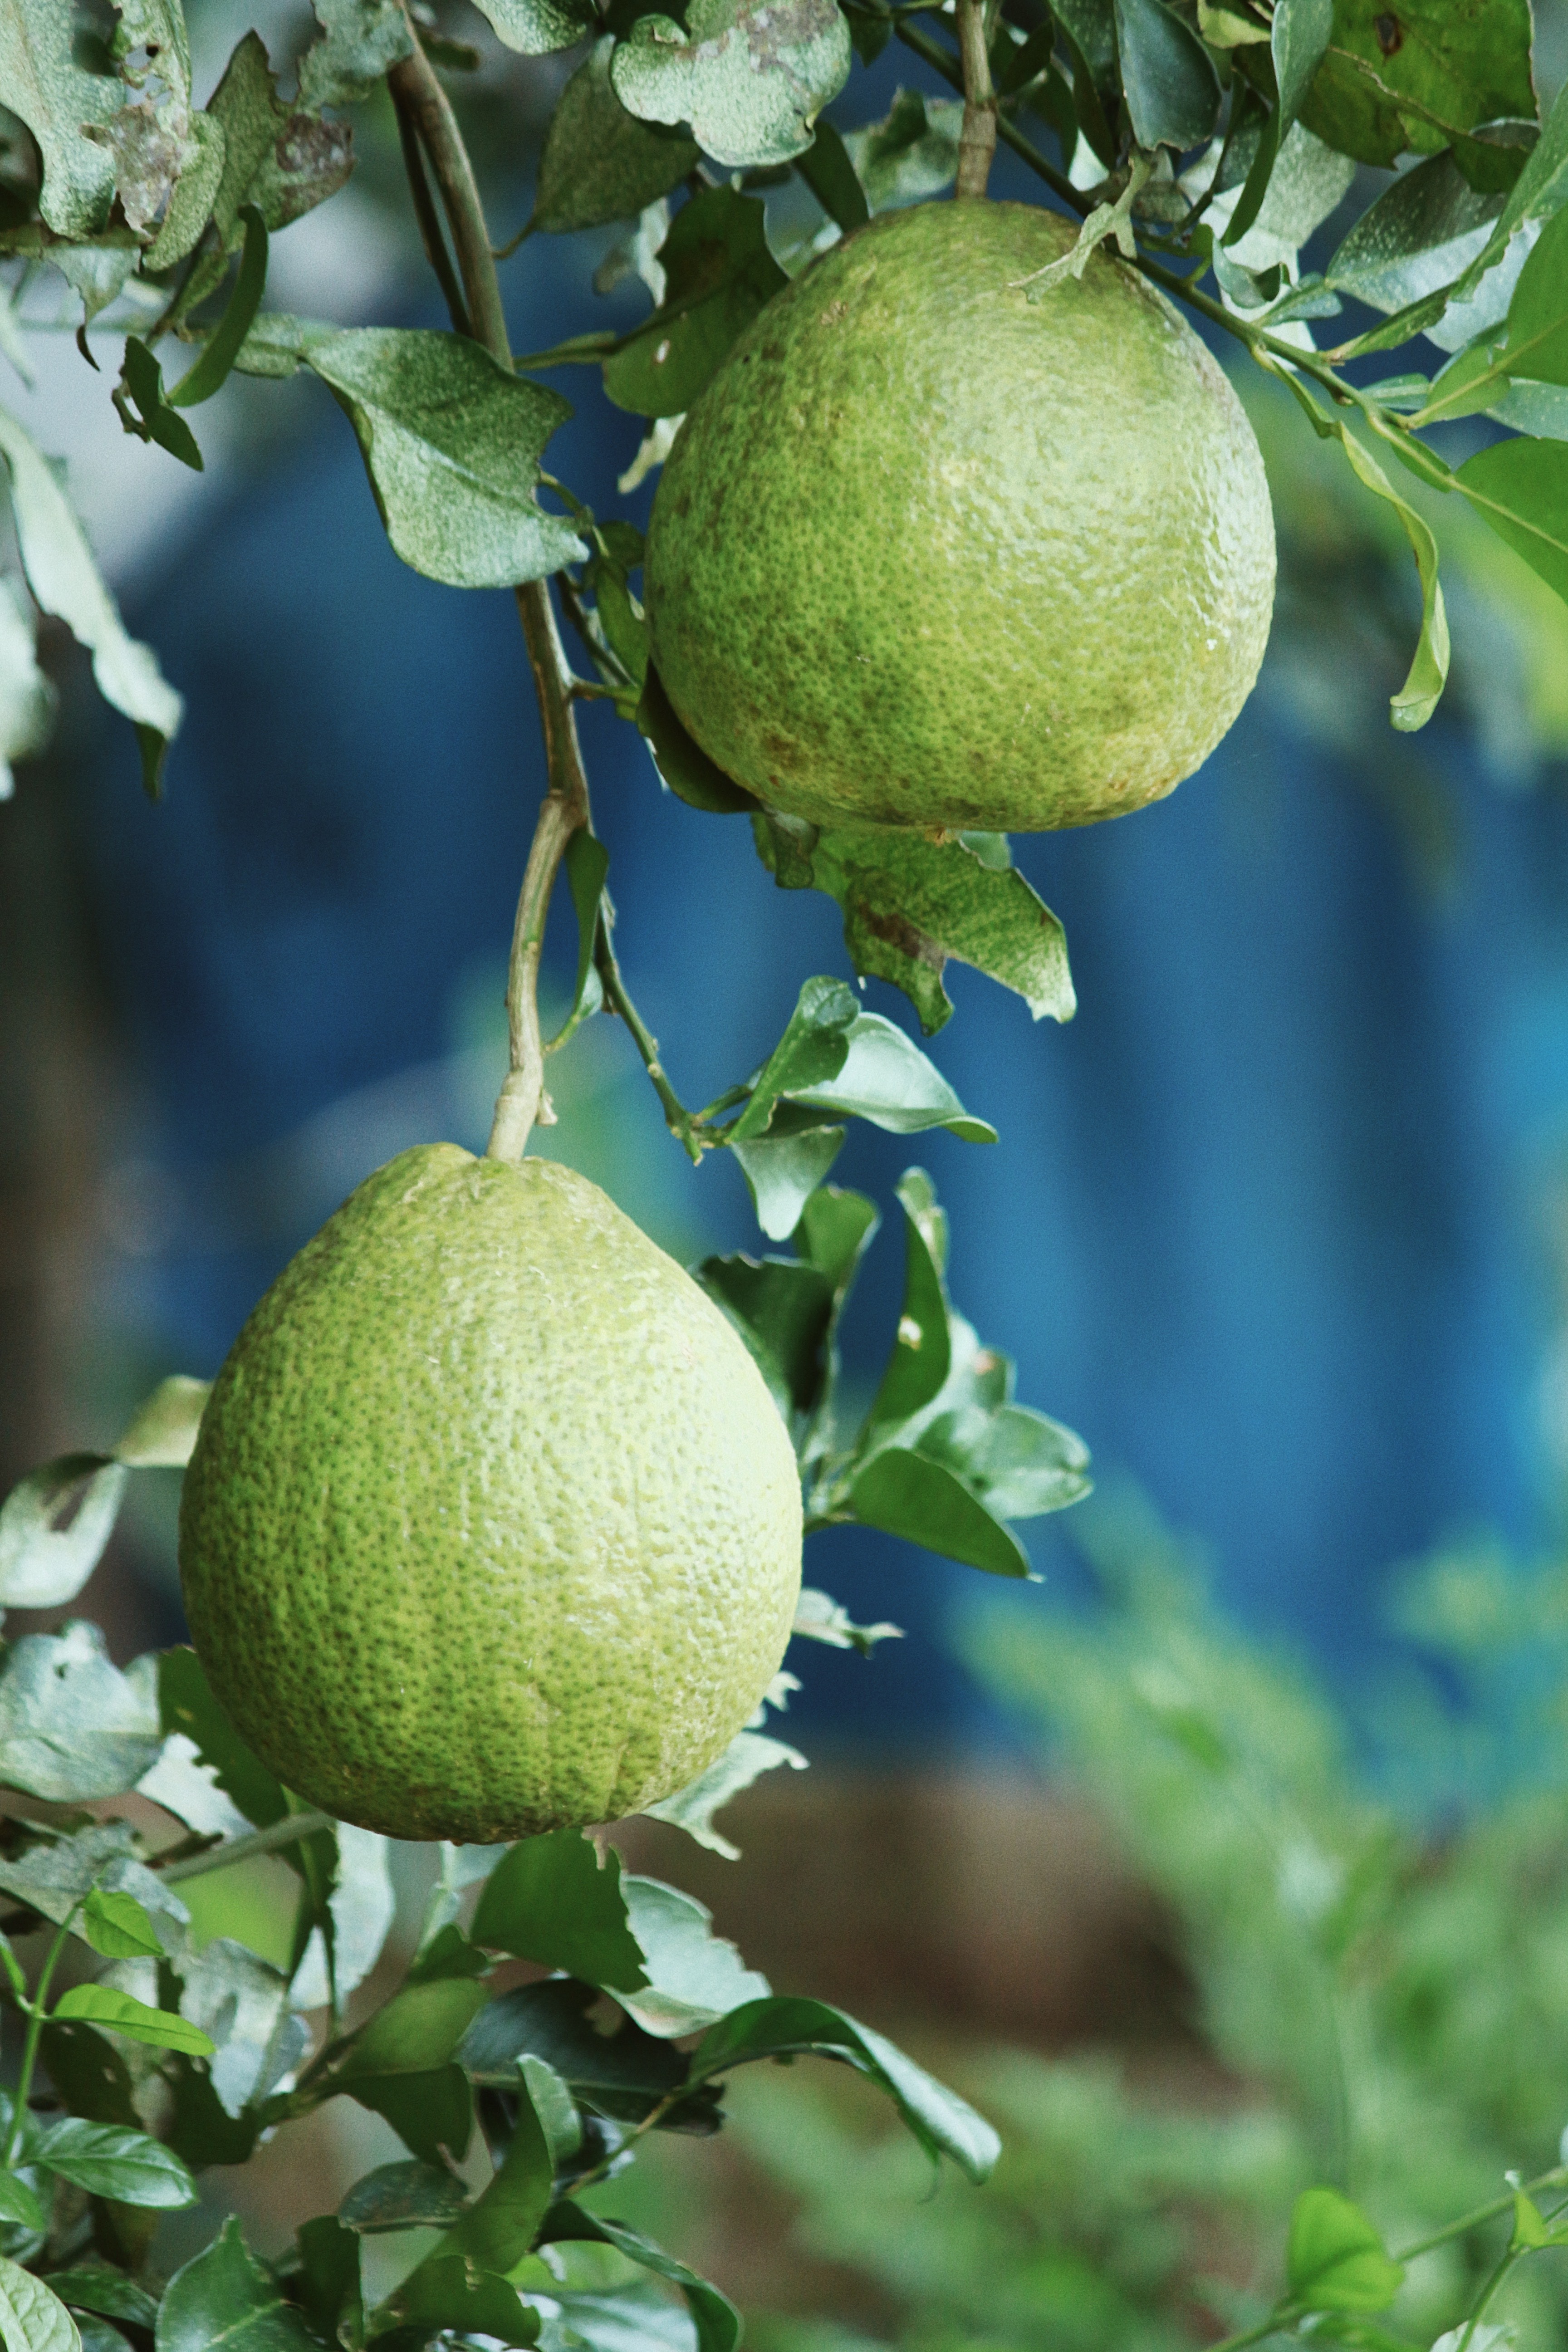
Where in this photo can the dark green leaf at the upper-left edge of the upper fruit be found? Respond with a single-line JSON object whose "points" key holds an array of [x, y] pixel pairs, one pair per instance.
{"points": [[718, 276]]}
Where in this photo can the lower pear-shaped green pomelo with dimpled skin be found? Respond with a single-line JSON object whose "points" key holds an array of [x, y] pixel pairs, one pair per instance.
{"points": [[492, 1523]]}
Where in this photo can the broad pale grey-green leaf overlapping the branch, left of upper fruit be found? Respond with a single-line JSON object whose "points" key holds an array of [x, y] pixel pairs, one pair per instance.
{"points": [[453, 450]]}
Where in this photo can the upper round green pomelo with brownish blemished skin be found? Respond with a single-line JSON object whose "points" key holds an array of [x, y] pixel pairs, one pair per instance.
{"points": [[934, 554]]}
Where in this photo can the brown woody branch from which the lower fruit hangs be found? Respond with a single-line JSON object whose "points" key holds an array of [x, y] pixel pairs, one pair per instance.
{"points": [[431, 128]]}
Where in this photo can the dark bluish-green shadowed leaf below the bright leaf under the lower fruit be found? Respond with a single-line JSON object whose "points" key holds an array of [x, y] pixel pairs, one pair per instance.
{"points": [[619, 2073]]}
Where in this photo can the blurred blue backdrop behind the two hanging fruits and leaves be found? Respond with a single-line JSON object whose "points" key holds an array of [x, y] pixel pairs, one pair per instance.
{"points": [[1275, 1224]]}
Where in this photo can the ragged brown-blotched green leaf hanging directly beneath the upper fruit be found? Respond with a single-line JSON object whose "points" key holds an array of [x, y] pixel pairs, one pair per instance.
{"points": [[913, 904]]}
